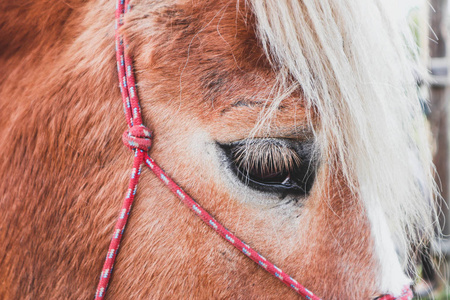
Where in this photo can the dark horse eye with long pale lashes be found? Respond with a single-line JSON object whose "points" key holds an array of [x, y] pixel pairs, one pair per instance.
{"points": [[272, 165]]}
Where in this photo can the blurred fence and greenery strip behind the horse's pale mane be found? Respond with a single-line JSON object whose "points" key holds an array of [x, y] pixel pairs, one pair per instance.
{"points": [[429, 21]]}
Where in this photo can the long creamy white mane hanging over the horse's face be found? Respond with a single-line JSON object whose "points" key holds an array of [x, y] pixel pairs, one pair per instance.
{"points": [[355, 68]]}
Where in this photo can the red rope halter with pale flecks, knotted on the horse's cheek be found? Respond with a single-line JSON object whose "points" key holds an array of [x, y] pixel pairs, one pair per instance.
{"points": [[138, 138]]}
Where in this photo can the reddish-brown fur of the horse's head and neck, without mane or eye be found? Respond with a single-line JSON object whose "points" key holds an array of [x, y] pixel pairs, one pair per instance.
{"points": [[202, 77]]}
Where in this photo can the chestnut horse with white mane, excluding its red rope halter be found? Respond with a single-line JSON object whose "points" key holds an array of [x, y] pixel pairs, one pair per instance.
{"points": [[295, 123]]}
